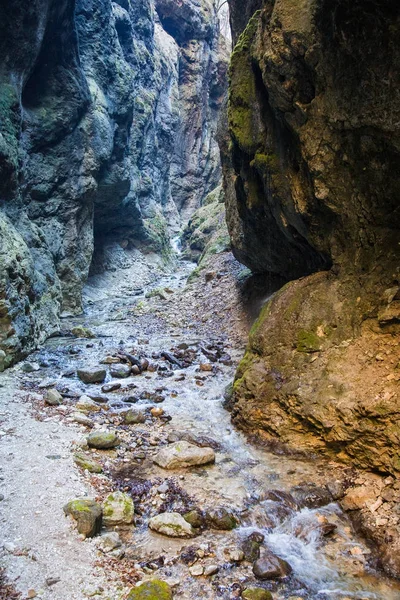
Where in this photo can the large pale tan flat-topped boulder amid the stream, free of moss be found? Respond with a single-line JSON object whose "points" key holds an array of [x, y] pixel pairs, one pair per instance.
{"points": [[183, 454]]}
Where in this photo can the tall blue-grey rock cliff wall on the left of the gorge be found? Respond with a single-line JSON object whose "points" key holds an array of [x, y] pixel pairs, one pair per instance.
{"points": [[107, 119]]}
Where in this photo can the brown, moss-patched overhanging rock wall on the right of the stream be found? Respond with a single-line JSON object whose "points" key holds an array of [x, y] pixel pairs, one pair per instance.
{"points": [[312, 195]]}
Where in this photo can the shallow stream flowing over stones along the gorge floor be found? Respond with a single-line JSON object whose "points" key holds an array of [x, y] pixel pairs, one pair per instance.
{"points": [[336, 566]]}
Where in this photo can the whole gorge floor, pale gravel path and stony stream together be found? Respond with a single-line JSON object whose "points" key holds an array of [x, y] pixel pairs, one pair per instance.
{"points": [[192, 335]]}
